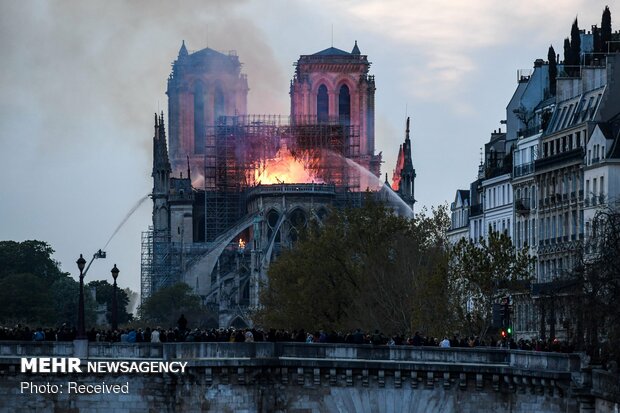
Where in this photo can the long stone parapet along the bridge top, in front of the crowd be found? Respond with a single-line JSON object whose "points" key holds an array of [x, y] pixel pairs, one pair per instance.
{"points": [[205, 351]]}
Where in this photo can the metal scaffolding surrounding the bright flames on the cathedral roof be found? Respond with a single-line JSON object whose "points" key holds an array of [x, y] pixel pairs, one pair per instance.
{"points": [[237, 147]]}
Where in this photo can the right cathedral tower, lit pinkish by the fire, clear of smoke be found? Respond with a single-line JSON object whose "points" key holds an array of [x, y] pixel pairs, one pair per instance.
{"points": [[333, 86]]}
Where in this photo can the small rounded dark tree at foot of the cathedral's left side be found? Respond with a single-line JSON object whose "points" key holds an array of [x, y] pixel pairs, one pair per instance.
{"points": [[165, 306]]}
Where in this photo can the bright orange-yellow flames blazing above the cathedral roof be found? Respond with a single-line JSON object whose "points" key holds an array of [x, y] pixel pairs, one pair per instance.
{"points": [[284, 168]]}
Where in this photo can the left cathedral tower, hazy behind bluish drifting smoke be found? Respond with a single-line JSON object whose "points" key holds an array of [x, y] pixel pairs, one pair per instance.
{"points": [[203, 86]]}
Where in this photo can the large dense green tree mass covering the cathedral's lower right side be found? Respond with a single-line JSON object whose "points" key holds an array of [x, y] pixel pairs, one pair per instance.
{"points": [[363, 267]]}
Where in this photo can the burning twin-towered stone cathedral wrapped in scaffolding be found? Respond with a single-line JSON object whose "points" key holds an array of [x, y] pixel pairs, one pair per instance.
{"points": [[230, 189]]}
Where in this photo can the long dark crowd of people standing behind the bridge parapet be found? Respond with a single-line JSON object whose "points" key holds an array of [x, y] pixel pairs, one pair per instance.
{"points": [[181, 333]]}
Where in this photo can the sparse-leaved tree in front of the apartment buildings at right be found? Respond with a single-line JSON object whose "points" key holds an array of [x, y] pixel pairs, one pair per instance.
{"points": [[481, 273]]}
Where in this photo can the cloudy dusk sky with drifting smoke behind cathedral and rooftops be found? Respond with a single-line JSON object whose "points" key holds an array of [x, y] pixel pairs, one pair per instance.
{"points": [[80, 82]]}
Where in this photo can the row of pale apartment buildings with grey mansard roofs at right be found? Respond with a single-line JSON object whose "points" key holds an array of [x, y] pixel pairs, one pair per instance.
{"points": [[564, 169]]}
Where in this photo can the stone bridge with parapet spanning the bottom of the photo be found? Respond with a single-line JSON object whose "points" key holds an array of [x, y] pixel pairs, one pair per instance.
{"points": [[296, 377]]}
